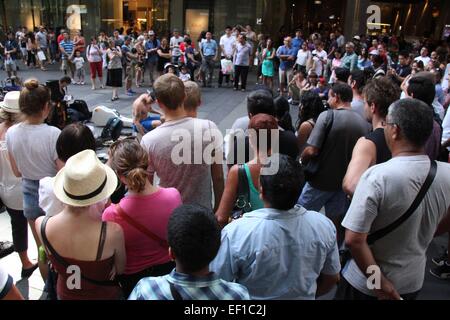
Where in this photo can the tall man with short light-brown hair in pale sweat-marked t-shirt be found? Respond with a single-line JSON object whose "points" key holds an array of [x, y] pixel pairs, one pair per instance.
{"points": [[184, 152]]}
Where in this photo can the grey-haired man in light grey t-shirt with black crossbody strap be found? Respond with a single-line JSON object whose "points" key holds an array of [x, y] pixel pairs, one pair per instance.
{"points": [[383, 195]]}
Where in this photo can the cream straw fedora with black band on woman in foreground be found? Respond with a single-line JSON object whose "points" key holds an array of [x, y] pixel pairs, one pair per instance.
{"points": [[84, 180]]}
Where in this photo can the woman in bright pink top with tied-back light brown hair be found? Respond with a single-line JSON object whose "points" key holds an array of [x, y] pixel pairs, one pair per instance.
{"points": [[143, 215]]}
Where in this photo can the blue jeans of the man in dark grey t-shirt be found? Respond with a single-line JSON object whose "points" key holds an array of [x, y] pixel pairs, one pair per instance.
{"points": [[335, 202]]}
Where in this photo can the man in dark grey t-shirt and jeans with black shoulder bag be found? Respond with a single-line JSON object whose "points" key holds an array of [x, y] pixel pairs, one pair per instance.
{"points": [[333, 152]]}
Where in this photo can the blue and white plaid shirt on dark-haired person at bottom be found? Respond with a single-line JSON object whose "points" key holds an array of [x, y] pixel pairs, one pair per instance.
{"points": [[189, 287]]}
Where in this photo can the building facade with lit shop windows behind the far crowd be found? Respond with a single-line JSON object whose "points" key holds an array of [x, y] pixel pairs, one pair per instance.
{"points": [[413, 18]]}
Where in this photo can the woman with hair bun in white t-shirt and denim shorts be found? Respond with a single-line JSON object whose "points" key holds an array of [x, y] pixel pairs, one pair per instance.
{"points": [[32, 150]]}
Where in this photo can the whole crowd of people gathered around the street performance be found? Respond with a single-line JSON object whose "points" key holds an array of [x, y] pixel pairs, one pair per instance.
{"points": [[362, 176]]}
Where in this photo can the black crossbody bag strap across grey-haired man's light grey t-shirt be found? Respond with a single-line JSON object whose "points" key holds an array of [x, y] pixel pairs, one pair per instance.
{"points": [[345, 254]]}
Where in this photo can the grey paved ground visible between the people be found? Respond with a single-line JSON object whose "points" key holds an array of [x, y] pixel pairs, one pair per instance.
{"points": [[222, 106]]}
